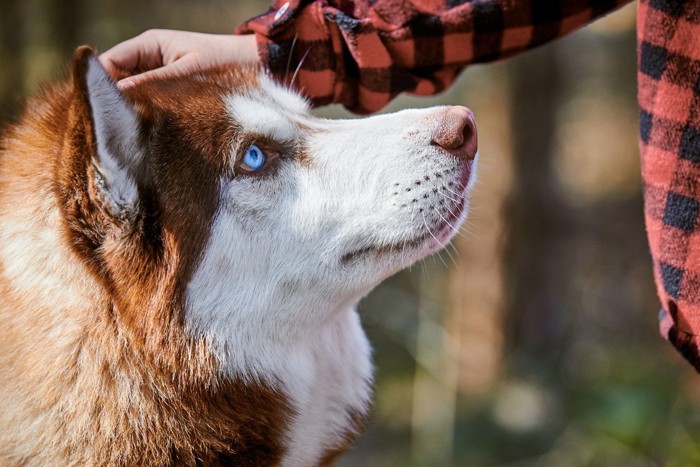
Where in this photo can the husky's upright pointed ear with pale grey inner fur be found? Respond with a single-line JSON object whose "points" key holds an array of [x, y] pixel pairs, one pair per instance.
{"points": [[111, 130]]}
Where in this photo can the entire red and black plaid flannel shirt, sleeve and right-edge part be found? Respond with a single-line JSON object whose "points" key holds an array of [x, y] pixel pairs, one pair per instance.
{"points": [[363, 53]]}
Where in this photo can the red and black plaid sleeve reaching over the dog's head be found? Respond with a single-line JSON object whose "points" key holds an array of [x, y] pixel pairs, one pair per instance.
{"points": [[363, 53]]}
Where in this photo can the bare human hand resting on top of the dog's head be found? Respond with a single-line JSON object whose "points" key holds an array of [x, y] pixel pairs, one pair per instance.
{"points": [[159, 53]]}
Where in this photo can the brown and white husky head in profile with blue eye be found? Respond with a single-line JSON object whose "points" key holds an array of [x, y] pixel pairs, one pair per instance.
{"points": [[220, 195]]}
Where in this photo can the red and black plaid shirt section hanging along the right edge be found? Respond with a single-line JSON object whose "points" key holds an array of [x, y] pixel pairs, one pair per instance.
{"points": [[669, 99]]}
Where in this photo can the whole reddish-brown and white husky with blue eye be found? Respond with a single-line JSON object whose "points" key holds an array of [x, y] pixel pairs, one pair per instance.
{"points": [[180, 265]]}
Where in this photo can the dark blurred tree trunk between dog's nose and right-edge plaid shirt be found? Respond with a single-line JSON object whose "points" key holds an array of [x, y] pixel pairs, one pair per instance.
{"points": [[536, 218]]}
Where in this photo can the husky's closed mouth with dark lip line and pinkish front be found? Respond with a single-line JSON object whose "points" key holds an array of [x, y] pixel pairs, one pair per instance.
{"points": [[433, 237]]}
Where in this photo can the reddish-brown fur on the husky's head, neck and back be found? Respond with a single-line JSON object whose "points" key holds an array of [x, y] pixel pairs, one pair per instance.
{"points": [[122, 383]]}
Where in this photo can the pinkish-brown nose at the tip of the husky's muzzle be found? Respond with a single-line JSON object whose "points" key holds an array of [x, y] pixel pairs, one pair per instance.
{"points": [[455, 131]]}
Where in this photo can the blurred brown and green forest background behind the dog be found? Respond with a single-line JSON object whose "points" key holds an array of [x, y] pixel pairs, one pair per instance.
{"points": [[532, 341]]}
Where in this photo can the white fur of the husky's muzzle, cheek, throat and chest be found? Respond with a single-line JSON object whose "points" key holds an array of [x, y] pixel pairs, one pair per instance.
{"points": [[292, 251]]}
